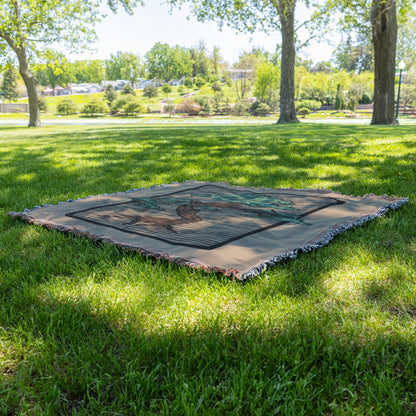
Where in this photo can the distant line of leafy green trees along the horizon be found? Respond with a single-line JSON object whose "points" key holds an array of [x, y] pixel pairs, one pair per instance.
{"points": [[163, 62]]}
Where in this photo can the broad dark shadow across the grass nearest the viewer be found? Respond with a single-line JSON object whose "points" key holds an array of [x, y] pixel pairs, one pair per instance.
{"points": [[74, 356]]}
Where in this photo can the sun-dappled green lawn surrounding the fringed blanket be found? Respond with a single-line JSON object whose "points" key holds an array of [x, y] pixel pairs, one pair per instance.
{"points": [[89, 329]]}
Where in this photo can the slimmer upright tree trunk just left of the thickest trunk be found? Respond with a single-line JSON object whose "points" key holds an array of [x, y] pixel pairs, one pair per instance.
{"points": [[286, 9]]}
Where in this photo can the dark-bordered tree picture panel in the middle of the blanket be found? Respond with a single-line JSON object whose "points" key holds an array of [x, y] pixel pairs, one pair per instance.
{"points": [[207, 216]]}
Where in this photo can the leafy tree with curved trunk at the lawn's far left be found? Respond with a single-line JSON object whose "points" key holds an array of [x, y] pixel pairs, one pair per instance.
{"points": [[29, 27]]}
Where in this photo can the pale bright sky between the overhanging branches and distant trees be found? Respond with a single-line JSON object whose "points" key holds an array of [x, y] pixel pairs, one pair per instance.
{"points": [[153, 23]]}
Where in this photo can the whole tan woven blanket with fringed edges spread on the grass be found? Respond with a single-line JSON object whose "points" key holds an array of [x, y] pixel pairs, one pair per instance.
{"points": [[234, 230]]}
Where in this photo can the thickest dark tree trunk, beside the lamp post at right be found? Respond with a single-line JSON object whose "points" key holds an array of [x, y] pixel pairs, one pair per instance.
{"points": [[384, 27]]}
